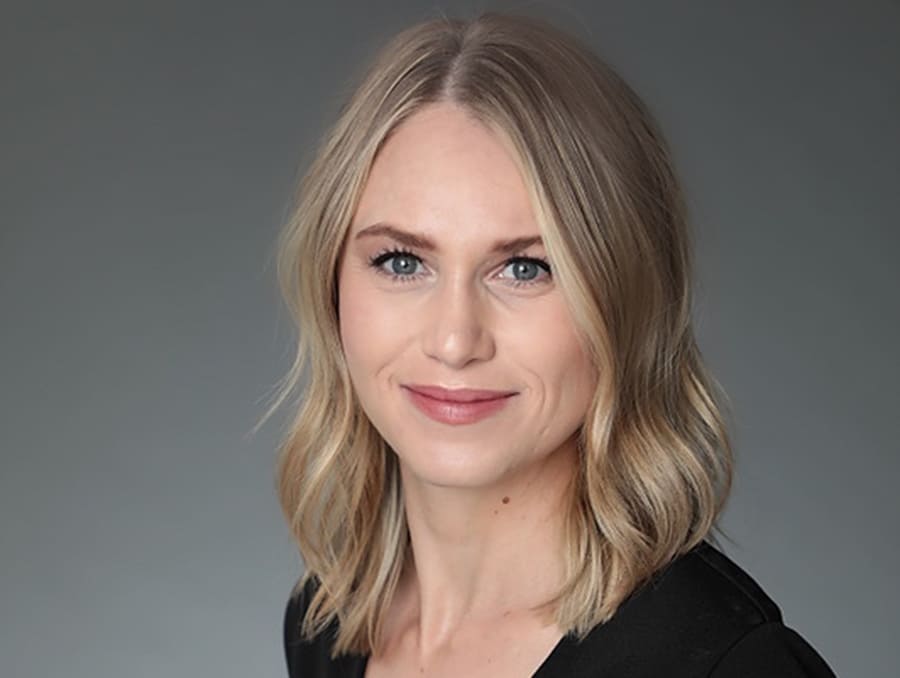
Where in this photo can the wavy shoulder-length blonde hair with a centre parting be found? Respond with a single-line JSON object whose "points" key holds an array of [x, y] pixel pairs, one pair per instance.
{"points": [[654, 452]]}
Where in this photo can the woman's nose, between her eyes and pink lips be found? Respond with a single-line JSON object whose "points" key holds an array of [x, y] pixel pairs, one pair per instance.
{"points": [[456, 330]]}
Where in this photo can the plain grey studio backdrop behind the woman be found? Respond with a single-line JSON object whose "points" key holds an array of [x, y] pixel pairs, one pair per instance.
{"points": [[147, 156]]}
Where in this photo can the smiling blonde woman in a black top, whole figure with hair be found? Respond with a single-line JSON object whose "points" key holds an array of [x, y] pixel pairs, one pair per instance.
{"points": [[508, 456]]}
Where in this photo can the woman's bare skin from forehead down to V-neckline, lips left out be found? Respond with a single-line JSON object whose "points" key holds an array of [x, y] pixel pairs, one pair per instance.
{"points": [[484, 500]]}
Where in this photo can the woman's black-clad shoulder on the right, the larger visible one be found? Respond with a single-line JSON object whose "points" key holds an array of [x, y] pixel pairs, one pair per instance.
{"points": [[702, 615]]}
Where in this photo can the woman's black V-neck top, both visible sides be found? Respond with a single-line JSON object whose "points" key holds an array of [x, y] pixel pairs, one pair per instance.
{"points": [[701, 616]]}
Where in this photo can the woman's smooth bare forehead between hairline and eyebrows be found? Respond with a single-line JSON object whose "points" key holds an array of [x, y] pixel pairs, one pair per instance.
{"points": [[444, 173]]}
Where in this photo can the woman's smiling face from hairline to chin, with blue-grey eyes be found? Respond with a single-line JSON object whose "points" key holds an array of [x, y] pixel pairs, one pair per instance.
{"points": [[459, 343]]}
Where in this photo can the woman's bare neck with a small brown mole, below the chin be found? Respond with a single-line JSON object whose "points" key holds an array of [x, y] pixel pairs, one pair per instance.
{"points": [[479, 553]]}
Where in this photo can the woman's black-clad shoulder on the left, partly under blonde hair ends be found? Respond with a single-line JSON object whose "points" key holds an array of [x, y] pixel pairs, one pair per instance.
{"points": [[311, 657]]}
